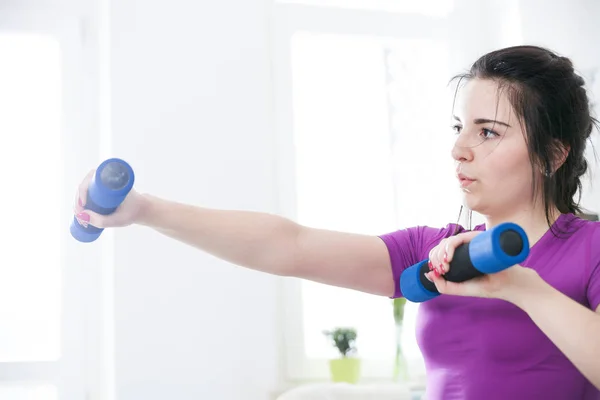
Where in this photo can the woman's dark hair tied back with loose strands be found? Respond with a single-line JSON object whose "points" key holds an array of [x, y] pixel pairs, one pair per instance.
{"points": [[552, 106]]}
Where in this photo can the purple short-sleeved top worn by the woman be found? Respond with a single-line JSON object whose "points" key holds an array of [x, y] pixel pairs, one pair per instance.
{"points": [[489, 349]]}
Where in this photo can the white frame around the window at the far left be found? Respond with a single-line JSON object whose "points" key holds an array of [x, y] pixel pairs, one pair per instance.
{"points": [[75, 374]]}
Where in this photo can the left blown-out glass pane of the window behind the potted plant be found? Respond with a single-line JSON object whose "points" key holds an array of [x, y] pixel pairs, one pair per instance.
{"points": [[342, 147]]}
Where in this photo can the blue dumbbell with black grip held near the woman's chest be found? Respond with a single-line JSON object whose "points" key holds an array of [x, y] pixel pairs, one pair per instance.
{"points": [[487, 253]]}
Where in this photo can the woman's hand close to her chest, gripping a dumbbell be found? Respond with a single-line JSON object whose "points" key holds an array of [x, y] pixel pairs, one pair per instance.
{"points": [[506, 284]]}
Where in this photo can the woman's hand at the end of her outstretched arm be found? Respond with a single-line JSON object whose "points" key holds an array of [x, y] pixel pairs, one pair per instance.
{"points": [[128, 212]]}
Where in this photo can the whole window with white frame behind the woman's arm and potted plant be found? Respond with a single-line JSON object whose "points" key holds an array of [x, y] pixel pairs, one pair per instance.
{"points": [[364, 128]]}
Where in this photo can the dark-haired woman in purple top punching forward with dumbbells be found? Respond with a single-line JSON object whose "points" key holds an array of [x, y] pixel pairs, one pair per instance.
{"points": [[522, 119]]}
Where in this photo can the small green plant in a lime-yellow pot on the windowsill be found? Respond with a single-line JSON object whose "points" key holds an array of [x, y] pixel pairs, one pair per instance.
{"points": [[347, 367]]}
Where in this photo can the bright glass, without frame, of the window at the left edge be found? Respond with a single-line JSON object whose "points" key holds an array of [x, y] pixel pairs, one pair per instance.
{"points": [[30, 260]]}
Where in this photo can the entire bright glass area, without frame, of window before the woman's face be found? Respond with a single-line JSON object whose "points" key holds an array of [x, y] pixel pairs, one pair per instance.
{"points": [[371, 136]]}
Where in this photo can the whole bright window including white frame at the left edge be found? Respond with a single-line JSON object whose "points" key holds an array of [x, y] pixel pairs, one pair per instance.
{"points": [[43, 281]]}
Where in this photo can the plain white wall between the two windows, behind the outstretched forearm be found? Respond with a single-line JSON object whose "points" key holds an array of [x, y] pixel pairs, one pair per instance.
{"points": [[191, 110]]}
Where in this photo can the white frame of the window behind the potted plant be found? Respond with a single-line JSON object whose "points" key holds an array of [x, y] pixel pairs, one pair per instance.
{"points": [[287, 20]]}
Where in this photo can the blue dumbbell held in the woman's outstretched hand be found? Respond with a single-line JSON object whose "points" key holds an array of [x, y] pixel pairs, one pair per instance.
{"points": [[110, 184]]}
